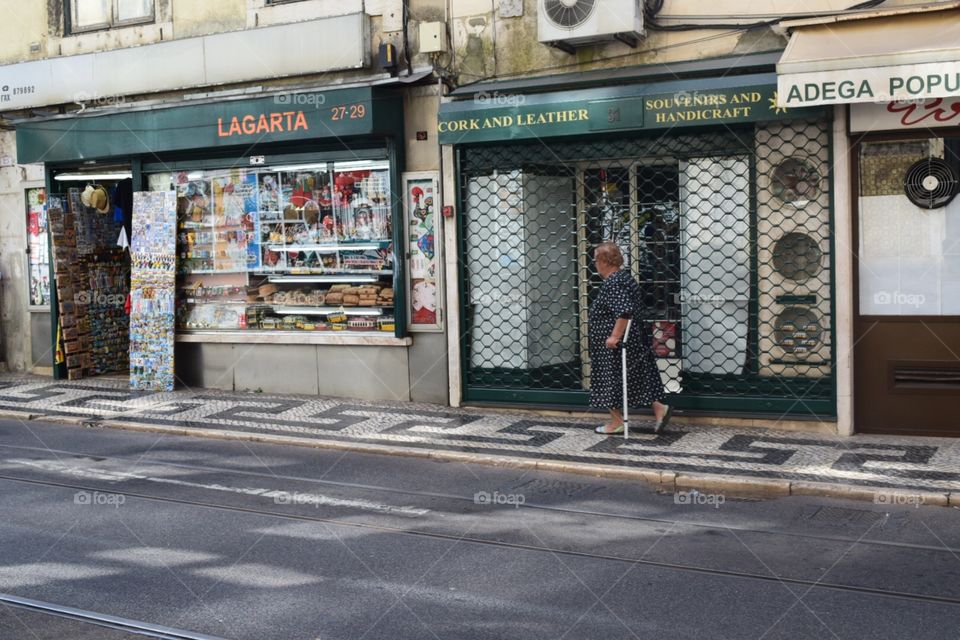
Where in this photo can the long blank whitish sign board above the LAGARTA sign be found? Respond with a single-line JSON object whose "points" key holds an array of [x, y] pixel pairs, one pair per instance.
{"points": [[102, 79]]}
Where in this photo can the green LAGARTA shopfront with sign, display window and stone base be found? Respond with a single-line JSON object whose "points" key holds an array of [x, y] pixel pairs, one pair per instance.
{"points": [[289, 252]]}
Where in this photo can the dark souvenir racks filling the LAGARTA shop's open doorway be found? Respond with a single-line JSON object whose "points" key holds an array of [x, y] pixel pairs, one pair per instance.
{"points": [[91, 284]]}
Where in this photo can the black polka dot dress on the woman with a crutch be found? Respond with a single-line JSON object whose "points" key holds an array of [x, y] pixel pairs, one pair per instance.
{"points": [[621, 297]]}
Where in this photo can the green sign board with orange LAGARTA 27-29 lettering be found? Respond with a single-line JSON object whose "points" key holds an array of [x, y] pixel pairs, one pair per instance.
{"points": [[336, 113]]}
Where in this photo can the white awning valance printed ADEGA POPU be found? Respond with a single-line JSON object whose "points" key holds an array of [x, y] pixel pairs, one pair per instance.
{"points": [[875, 84]]}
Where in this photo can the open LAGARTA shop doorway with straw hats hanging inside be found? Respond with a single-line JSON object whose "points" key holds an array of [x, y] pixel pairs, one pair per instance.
{"points": [[89, 213]]}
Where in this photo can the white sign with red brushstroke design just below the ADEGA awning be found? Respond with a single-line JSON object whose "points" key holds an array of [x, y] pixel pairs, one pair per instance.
{"points": [[913, 114]]}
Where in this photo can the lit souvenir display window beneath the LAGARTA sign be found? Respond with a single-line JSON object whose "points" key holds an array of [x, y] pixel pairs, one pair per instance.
{"points": [[289, 248]]}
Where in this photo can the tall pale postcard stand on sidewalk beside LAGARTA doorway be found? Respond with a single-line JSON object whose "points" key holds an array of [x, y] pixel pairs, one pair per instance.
{"points": [[153, 286]]}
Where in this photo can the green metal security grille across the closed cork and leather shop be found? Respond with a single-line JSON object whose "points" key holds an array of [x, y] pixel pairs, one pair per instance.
{"points": [[729, 232]]}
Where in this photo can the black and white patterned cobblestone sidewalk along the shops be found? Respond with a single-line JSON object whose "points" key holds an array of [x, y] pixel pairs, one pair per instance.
{"points": [[750, 455]]}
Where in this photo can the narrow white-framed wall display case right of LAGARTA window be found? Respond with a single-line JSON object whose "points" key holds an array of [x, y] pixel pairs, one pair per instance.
{"points": [[420, 194]]}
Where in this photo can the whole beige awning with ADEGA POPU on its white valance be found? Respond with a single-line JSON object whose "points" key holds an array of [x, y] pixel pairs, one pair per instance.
{"points": [[879, 56]]}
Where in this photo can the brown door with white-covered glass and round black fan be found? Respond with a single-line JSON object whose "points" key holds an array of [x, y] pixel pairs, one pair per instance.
{"points": [[907, 325]]}
